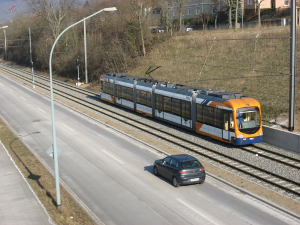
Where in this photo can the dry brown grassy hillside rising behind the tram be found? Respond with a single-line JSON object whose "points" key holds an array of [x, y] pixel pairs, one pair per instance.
{"points": [[252, 62]]}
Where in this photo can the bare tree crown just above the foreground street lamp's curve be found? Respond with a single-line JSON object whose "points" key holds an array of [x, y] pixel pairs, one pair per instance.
{"points": [[53, 11]]}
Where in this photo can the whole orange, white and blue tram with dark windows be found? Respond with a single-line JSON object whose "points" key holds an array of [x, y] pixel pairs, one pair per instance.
{"points": [[225, 116]]}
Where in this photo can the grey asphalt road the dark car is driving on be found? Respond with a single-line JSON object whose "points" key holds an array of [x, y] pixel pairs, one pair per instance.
{"points": [[112, 174]]}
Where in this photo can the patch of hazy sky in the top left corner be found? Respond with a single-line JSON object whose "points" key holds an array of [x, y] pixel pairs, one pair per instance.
{"points": [[5, 12]]}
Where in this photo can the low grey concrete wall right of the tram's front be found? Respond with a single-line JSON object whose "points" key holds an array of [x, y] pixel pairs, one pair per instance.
{"points": [[281, 138]]}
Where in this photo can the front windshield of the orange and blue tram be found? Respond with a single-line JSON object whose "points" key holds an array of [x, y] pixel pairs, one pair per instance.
{"points": [[248, 119]]}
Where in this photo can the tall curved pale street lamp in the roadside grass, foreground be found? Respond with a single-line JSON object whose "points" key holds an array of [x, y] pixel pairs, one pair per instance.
{"points": [[111, 9]]}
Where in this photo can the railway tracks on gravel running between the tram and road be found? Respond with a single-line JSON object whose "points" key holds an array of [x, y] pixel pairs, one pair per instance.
{"points": [[282, 184]]}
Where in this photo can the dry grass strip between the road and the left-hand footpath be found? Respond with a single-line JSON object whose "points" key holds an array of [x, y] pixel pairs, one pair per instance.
{"points": [[42, 182]]}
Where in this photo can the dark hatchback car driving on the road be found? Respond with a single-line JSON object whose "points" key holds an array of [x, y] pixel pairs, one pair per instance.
{"points": [[180, 169]]}
